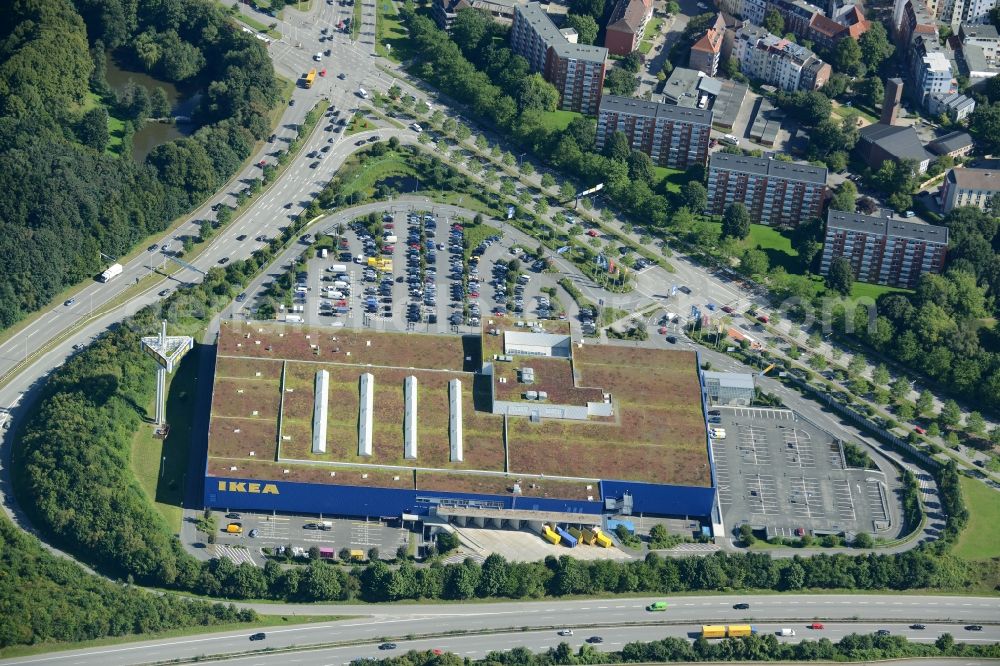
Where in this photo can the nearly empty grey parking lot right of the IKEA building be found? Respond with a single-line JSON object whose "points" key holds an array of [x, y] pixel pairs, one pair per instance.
{"points": [[782, 475]]}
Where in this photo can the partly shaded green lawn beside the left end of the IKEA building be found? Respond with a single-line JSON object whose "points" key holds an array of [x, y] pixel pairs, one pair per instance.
{"points": [[160, 465]]}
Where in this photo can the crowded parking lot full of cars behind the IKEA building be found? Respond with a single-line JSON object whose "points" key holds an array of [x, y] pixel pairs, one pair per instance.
{"points": [[410, 271]]}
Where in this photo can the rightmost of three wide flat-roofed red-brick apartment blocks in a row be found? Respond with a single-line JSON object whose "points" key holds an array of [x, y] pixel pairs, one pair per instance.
{"points": [[884, 250]]}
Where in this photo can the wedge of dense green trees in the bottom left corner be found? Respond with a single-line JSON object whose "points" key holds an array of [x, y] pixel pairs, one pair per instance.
{"points": [[44, 598]]}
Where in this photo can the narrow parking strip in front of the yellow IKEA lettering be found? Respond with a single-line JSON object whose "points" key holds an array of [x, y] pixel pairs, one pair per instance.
{"points": [[271, 531]]}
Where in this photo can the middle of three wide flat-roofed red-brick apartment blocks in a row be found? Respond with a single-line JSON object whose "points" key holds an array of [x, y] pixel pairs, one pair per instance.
{"points": [[776, 193]]}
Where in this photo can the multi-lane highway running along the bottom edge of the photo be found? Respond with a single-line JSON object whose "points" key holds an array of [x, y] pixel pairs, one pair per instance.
{"points": [[617, 621]]}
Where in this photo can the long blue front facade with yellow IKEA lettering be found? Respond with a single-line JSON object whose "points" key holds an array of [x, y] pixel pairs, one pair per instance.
{"points": [[316, 498]]}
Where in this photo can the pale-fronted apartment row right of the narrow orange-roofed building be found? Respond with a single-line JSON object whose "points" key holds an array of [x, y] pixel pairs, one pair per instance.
{"points": [[778, 61]]}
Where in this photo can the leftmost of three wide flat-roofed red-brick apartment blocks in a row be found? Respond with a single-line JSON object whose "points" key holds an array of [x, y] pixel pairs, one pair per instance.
{"points": [[673, 136]]}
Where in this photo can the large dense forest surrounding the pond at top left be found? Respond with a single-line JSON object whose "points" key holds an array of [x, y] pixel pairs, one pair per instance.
{"points": [[64, 199]]}
